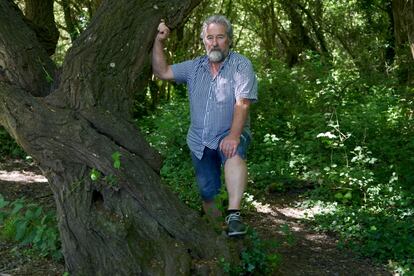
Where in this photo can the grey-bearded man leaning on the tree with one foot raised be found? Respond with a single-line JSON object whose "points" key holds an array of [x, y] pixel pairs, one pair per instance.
{"points": [[221, 86]]}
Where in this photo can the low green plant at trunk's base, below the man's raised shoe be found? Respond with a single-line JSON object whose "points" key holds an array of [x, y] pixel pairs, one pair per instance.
{"points": [[255, 259]]}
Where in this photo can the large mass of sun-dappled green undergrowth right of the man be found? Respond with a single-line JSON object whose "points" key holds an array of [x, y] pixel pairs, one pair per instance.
{"points": [[340, 135]]}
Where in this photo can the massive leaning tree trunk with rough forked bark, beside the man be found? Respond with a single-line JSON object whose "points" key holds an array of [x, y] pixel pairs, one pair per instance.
{"points": [[126, 222]]}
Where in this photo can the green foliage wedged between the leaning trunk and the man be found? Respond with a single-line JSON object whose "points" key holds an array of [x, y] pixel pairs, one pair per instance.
{"points": [[166, 130]]}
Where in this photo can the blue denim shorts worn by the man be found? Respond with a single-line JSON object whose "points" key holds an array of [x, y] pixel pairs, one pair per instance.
{"points": [[208, 169]]}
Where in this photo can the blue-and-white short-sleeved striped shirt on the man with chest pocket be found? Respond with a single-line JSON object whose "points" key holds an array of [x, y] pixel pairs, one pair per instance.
{"points": [[212, 99]]}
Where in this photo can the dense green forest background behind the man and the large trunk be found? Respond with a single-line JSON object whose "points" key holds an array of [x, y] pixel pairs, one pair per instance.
{"points": [[334, 116]]}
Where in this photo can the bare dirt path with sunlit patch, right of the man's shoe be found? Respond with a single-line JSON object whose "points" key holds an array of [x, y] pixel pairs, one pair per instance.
{"points": [[305, 252]]}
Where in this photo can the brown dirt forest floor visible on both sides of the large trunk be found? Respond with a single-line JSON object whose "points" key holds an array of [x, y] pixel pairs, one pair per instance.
{"points": [[303, 251]]}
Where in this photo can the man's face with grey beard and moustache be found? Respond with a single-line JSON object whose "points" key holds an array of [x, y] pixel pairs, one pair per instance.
{"points": [[216, 42]]}
